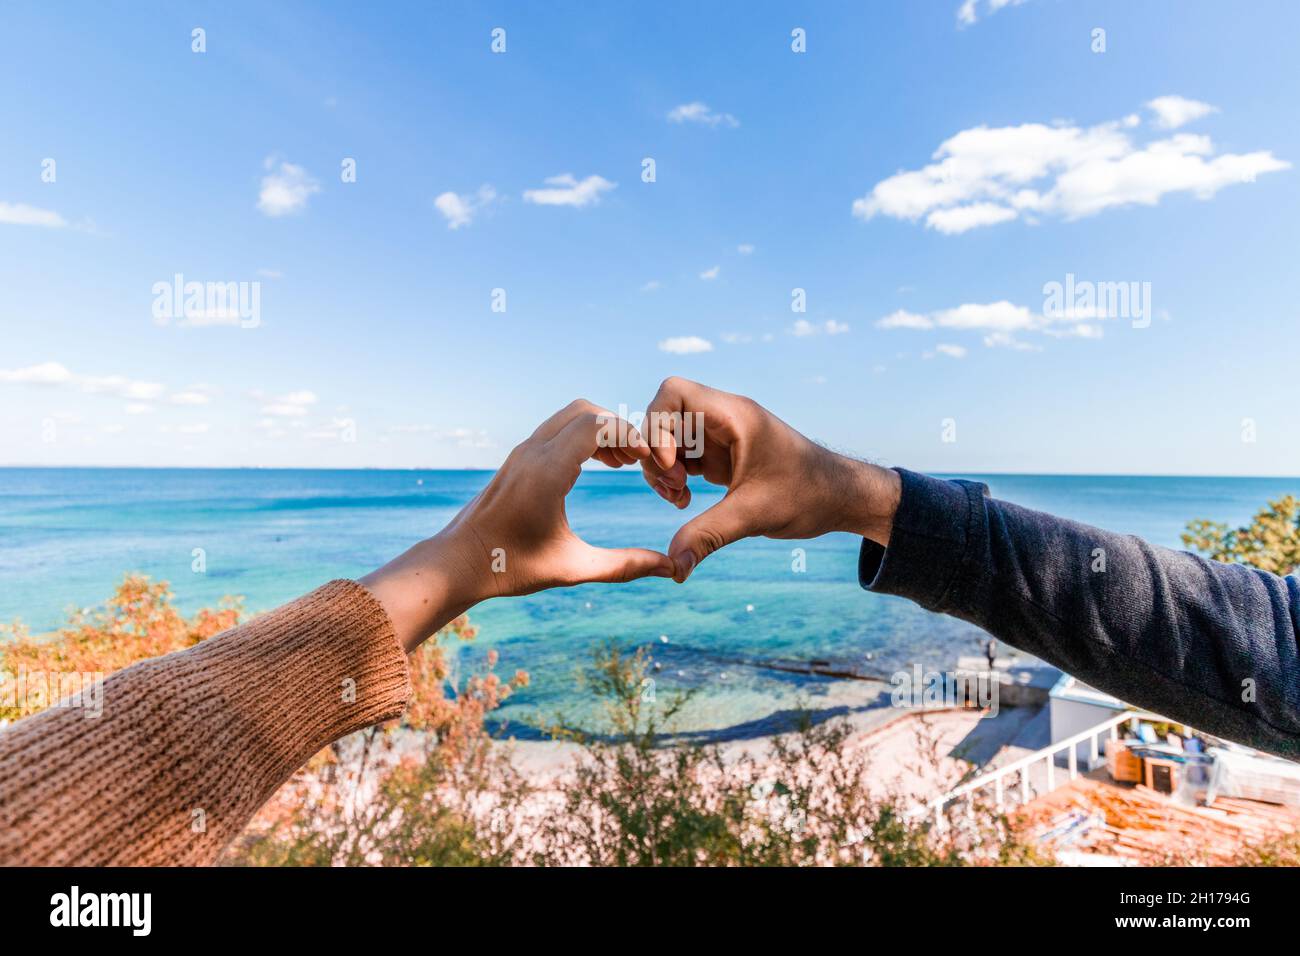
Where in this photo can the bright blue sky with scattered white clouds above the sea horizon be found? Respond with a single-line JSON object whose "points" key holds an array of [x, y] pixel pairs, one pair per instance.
{"points": [[856, 171]]}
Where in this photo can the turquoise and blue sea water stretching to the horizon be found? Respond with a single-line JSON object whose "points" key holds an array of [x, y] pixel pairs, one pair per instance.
{"points": [[68, 537]]}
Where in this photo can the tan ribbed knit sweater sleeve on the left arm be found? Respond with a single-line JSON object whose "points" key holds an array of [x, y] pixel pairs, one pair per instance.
{"points": [[189, 746]]}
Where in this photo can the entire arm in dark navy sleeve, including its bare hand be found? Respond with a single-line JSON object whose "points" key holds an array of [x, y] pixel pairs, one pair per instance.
{"points": [[1210, 644]]}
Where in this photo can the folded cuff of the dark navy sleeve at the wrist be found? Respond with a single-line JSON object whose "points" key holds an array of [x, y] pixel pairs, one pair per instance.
{"points": [[933, 533]]}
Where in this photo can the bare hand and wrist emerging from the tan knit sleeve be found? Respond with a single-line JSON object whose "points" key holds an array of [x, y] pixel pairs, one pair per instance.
{"points": [[514, 538]]}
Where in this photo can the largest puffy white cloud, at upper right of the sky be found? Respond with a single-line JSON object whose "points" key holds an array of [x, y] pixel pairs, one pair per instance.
{"points": [[983, 176]]}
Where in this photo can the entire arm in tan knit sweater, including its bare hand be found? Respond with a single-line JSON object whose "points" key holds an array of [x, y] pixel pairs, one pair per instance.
{"points": [[188, 747]]}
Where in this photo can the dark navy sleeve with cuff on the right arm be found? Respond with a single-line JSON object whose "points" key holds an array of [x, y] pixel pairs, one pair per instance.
{"points": [[1197, 641]]}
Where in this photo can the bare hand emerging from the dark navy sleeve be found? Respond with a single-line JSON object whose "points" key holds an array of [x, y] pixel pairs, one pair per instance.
{"points": [[779, 485]]}
